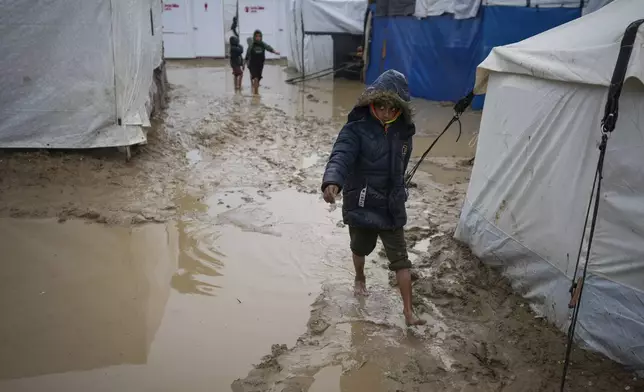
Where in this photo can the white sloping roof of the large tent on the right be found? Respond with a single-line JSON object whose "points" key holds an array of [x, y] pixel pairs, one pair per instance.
{"points": [[578, 51]]}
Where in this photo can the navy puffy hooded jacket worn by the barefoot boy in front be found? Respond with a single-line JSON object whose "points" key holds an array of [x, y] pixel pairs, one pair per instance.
{"points": [[369, 161]]}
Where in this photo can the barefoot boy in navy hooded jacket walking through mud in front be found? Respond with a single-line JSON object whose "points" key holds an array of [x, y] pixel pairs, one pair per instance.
{"points": [[368, 163]]}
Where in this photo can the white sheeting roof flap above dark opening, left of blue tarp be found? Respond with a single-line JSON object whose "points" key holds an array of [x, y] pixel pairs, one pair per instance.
{"points": [[334, 16]]}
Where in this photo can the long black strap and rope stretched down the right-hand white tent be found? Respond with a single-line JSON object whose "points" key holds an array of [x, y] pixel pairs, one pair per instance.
{"points": [[608, 124]]}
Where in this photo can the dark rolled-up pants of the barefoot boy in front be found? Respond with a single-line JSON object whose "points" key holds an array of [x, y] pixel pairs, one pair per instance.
{"points": [[363, 242]]}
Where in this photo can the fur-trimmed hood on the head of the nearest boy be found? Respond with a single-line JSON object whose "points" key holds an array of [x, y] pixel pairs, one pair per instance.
{"points": [[390, 87]]}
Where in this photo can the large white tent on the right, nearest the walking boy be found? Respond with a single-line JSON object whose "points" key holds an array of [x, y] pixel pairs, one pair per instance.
{"points": [[535, 163]]}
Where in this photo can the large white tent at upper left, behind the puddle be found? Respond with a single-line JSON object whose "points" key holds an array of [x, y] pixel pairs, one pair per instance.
{"points": [[77, 73]]}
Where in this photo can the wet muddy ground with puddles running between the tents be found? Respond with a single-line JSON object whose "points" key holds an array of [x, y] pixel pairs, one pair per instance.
{"points": [[222, 219]]}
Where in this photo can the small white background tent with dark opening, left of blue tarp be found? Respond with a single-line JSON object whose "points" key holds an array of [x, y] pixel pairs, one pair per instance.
{"points": [[312, 25]]}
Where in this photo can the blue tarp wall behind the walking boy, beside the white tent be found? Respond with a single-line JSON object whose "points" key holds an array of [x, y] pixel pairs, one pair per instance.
{"points": [[439, 54]]}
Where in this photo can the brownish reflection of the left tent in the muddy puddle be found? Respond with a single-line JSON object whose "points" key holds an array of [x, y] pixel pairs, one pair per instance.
{"points": [[79, 296]]}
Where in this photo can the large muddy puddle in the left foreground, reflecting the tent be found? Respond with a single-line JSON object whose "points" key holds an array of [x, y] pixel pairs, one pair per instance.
{"points": [[188, 305]]}
